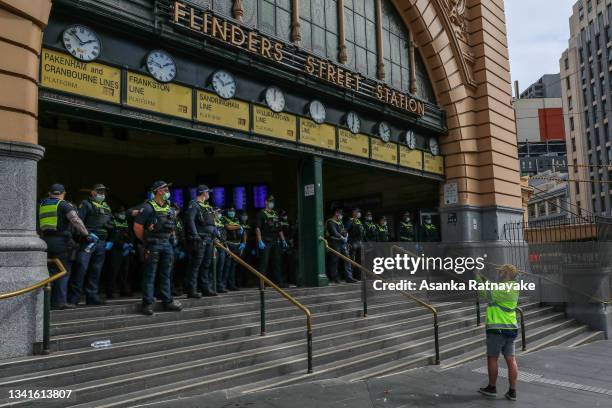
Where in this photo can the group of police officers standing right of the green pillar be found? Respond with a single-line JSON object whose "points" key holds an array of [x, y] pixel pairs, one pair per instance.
{"points": [[348, 238]]}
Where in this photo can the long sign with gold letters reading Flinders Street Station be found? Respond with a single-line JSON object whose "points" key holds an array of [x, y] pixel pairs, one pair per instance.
{"points": [[206, 23]]}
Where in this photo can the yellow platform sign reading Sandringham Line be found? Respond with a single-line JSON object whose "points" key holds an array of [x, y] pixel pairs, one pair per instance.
{"points": [[229, 113]]}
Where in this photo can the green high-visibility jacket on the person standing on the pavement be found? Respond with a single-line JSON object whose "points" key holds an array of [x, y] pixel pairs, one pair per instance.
{"points": [[501, 309]]}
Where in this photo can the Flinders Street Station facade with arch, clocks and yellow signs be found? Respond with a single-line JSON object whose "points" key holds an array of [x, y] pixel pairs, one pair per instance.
{"points": [[384, 105]]}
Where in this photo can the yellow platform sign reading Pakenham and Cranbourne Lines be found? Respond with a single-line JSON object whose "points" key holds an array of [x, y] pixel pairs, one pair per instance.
{"points": [[65, 73]]}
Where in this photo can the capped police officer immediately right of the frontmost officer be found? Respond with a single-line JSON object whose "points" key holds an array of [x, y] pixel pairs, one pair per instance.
{"points": [[200, 232]]}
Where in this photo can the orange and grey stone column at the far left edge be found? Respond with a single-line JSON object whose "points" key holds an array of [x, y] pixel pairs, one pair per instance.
{"points": [[22, 253]]}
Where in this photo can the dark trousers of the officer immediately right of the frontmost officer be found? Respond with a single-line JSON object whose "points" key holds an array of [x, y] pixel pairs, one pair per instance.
{"points": [[199, 273]]}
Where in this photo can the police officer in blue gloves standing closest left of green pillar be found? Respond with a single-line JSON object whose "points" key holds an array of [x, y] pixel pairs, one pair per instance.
{"points": [[270, 241]]}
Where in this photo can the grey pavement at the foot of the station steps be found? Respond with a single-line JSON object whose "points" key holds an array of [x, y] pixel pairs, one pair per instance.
{"points": [[556, 377]]}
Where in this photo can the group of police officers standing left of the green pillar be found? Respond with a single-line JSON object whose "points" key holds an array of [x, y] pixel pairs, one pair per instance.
{"points": [[157, 229]]}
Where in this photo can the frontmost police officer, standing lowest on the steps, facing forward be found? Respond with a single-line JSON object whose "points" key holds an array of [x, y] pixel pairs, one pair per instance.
{"points": [[155, 226]]}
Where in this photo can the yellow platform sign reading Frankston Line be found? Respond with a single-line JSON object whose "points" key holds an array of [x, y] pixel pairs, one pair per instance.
{"points": [[146, 93]]}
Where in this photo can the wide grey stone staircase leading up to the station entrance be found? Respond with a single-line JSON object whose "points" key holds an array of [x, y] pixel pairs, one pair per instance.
{"points": [[215, 344]]}
